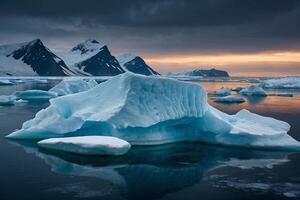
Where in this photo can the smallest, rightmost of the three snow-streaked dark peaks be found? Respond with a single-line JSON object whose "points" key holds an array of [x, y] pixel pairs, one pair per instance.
{"points": [[135, 64]]}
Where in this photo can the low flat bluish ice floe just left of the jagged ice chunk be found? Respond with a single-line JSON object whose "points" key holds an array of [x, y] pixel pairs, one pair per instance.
{"points": [[35, 95]]}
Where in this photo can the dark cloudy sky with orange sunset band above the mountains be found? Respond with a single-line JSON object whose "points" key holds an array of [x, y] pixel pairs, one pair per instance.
{"points": [[245, 37]]}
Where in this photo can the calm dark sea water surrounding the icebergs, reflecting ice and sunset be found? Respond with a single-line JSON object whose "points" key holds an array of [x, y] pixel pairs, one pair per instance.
{"points": [[174, 171]]}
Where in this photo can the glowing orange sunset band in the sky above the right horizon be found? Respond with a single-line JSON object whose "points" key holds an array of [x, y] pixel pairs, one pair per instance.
{"points": [[235, 63]]}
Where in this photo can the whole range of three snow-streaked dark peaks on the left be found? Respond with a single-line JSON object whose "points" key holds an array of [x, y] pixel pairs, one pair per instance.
{"points": [[89, 58]]}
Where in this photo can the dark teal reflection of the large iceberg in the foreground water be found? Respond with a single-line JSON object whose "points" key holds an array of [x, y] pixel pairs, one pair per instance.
{"points": [[149, 172]]}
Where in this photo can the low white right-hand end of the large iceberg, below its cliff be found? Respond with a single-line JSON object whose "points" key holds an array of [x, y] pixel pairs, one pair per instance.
{"points": [[247, 129]]}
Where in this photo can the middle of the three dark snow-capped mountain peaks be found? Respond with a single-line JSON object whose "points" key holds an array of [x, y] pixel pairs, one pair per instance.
{"points": [[92, 58]]}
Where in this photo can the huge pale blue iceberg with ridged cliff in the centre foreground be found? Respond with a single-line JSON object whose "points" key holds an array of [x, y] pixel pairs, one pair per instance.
{"points": [[153, 110]]}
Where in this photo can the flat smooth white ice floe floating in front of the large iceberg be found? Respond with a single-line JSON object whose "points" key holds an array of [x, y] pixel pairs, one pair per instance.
{"points": [[88, 145]]}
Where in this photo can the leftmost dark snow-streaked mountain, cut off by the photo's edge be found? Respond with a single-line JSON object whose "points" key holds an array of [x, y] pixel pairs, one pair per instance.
{"points": [[31, 59]]}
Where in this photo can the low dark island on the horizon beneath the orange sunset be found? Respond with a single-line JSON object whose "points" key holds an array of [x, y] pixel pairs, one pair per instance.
{"points": [[203, 72]]}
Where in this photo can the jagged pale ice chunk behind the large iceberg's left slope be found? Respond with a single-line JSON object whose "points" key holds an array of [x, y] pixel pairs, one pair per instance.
{"points": [[73, 85]]}
